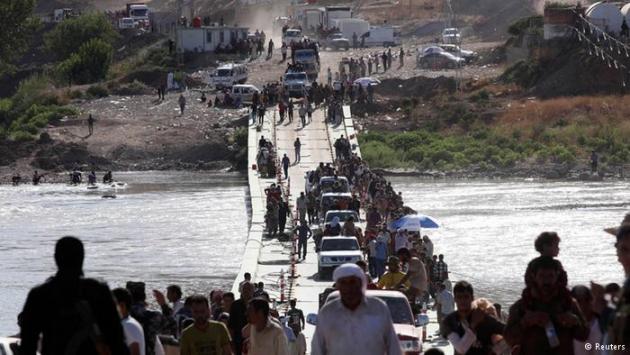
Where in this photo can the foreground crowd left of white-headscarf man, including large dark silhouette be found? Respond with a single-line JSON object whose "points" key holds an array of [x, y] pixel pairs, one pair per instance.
{"points": [[71, 314]]}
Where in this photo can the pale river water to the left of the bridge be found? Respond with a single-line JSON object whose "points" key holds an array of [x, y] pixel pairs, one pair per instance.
{"points": [[165, 227]]}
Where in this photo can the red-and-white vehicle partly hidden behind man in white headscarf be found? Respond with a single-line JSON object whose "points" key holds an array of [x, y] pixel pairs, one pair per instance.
{"points": [[407, 327]]}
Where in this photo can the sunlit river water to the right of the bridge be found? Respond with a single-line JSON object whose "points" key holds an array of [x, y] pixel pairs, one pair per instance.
{"points": [[489, 228]]}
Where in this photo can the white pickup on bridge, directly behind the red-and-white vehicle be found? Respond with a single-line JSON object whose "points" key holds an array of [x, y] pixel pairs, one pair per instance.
{"points": [[335, 251]]}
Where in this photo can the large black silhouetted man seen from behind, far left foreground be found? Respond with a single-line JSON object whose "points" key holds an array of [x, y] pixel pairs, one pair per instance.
{"points": [[70, 314]]}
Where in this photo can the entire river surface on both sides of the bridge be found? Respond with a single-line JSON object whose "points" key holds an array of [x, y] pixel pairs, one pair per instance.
{"points": [[190, 229]]}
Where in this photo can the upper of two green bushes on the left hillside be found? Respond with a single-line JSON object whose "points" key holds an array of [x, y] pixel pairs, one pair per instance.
{"points": [[64, 40]]}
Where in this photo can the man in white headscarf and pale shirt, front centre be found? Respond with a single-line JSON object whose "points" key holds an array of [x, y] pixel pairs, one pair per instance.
{"points": [[340, 320]]}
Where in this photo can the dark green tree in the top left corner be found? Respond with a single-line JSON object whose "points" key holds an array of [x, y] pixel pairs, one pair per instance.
{"points": [[16, 28]]}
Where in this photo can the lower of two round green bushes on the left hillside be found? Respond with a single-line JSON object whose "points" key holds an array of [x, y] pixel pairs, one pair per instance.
{"points": [[91, 63]]}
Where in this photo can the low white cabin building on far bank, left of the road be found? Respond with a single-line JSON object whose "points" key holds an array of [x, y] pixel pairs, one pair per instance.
{"points": [[204, 39]]}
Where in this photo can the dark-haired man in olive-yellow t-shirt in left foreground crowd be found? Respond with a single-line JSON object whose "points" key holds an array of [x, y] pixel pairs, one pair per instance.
{"points": [[204, 336]]}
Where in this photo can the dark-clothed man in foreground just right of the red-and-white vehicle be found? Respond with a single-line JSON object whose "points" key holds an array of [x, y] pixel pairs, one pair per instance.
{"points": [[470, 331]]}
